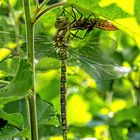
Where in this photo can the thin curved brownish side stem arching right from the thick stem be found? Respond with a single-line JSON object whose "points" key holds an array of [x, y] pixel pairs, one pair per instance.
{"points": [[35, 19]]}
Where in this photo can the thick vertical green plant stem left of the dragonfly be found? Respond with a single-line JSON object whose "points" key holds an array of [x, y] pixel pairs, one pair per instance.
{"points": [[30, 48]]}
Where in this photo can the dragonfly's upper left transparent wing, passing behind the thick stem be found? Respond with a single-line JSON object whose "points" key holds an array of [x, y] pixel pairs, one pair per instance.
{"points": [[10, 41]]}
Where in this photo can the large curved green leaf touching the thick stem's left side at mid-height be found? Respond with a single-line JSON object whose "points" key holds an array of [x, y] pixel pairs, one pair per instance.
{"points": [[18, 88]]}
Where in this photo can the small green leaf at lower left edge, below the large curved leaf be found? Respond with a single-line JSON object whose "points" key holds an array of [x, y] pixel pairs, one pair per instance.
{"points": [[14, 119]]}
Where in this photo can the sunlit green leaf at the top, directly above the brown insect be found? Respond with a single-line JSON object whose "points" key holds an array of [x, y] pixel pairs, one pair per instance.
{"points": [[111, 11]]}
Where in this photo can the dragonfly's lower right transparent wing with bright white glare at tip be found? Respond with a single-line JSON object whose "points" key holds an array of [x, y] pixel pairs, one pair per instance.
{"points": [[100, 69]]}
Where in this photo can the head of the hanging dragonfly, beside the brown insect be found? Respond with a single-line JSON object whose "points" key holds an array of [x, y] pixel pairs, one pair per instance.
{"points": [[61, 22]]}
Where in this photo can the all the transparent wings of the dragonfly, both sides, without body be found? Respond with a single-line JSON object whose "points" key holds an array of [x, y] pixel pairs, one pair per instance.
{"points": [[91, 54]]}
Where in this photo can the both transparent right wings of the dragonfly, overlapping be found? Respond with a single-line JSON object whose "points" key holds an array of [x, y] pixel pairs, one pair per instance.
{"points": [[96, 58]]}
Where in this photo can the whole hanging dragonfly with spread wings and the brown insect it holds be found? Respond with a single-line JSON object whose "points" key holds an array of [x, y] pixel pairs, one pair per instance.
{"points": [[90, 56]]}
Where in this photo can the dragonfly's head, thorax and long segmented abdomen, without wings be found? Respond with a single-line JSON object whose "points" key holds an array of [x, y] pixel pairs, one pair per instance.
{"points": [[61, 40]]}
